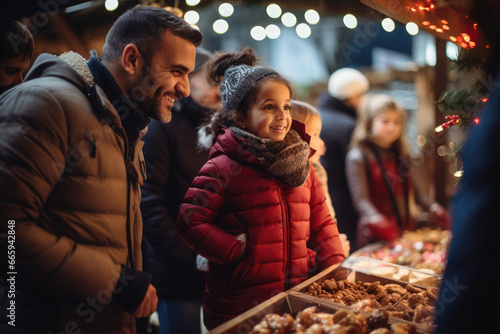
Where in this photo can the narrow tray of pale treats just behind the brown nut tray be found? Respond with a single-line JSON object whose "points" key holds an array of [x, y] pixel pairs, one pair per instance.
{"points": [[393, 271]]}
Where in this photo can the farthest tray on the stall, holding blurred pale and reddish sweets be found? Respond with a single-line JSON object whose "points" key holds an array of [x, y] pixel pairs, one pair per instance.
{"points": [[424, 249]]}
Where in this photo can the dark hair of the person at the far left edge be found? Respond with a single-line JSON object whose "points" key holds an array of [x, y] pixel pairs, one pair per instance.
{"points": [[15, 40]]}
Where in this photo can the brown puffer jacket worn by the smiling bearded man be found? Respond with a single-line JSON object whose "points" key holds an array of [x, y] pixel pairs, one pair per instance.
{"points": [[71, 188]]}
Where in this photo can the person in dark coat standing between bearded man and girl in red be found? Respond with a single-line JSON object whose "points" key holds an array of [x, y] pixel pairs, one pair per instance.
{"points": [[173, 160]]}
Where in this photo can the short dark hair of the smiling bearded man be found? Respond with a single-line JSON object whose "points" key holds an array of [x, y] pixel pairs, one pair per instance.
{"points": [[145, 27]]}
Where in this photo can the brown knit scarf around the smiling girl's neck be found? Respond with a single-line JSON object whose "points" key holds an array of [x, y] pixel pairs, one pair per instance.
{"points": [[287, 160]]}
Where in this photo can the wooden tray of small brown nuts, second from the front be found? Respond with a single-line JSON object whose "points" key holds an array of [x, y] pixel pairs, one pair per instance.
{"points": [[360, 291]]}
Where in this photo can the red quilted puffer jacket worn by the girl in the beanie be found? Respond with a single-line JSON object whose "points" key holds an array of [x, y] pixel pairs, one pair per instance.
{"points": [[290, 233]]}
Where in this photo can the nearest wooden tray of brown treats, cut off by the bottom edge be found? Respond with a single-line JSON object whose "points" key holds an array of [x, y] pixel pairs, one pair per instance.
{"points": [[295, 313]]}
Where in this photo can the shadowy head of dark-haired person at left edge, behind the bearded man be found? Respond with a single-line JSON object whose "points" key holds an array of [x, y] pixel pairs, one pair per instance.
{"points": [[16, 50]]}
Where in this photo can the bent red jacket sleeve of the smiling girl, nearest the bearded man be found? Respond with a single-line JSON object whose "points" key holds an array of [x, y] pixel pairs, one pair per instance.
{"points": [[197, 221]]}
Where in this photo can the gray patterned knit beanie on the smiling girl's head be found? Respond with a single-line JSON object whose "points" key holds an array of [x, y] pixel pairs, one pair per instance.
{"points": [[237, 82]]}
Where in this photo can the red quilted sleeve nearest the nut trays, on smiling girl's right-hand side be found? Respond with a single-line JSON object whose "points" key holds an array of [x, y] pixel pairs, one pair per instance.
{"points": [[324, 240]]}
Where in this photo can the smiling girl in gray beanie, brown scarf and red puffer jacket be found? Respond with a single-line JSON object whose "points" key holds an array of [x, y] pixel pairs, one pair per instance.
{"points": [[254, 210]]}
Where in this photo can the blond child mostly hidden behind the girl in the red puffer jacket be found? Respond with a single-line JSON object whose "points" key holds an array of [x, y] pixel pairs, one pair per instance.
{"points": [[307, 114]]}
